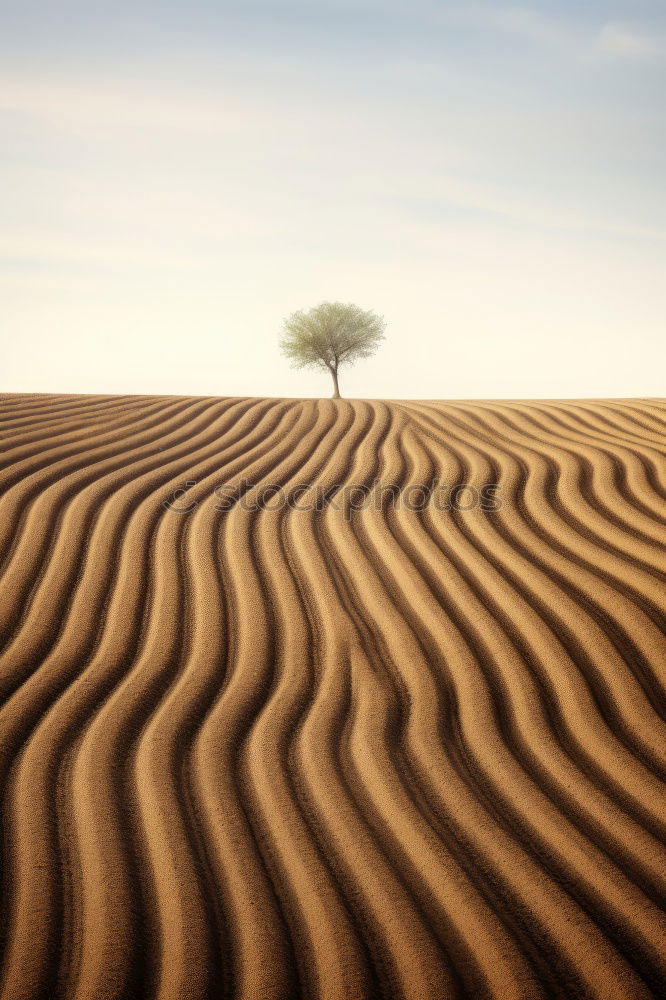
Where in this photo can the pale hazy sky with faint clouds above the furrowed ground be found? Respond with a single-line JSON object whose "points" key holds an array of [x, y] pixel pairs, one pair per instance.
{"points": [[176, 177]]}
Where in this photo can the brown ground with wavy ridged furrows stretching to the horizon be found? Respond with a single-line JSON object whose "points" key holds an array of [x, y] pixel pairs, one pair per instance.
{"points": [[276, 753]]}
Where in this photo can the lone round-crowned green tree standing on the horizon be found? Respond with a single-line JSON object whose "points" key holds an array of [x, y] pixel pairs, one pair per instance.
{"points": [[330, 335]]}
